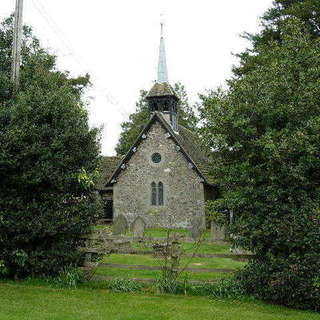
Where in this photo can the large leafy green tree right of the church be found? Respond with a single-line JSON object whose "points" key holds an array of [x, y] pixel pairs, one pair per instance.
{"points": [[265, 133]]}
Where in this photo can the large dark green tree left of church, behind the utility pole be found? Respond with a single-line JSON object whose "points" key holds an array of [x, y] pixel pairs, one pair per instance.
{"points": [[48, 158]]}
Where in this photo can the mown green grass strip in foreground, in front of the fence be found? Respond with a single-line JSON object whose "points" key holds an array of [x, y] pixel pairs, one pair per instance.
{"points": [[29, 302]]}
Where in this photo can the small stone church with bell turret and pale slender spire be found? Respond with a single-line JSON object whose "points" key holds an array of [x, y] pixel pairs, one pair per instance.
{"points": [[164, 177]]}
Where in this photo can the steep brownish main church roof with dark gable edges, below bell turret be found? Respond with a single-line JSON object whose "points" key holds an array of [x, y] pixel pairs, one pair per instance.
{"points": [[188, 142]]}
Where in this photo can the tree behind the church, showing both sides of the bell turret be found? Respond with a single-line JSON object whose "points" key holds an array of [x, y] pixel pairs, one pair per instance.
{"points": [[138, 119]]}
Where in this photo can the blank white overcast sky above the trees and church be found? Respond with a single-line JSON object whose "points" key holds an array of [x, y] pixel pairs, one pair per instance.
{"points": [[116, 42]]}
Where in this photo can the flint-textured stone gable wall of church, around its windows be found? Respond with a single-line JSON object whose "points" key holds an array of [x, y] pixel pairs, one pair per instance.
{"points": [[183, 190]]}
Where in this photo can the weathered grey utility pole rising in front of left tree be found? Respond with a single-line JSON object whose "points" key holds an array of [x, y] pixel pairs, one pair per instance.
{"points": [[17, 42]]}
